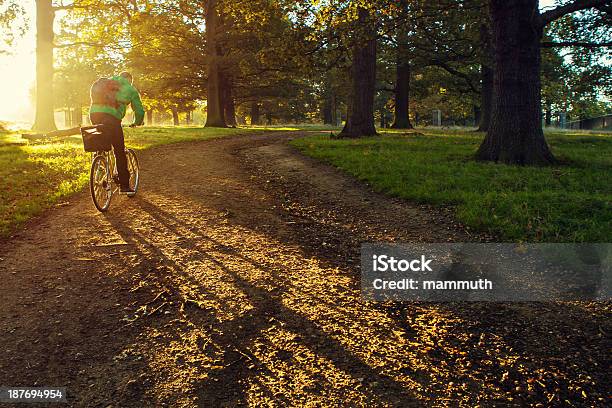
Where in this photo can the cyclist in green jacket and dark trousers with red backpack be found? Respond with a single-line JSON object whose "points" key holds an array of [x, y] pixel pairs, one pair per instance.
{"points": [[109, 100]]}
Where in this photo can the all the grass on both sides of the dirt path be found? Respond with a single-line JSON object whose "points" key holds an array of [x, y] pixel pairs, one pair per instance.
{"points": [[565, 203]]}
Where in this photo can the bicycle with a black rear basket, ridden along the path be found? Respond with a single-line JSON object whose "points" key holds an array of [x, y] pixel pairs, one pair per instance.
{"points": [[103, 175]]}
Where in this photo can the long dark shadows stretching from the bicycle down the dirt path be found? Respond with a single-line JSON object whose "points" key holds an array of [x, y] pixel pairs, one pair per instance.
{"points": [[236, 336]]}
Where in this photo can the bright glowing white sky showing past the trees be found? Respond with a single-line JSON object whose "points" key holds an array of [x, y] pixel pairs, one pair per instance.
{"points": [[17, 72]]}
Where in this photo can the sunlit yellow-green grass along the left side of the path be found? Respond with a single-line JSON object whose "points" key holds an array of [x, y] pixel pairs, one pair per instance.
{"points": [[36, 175]]}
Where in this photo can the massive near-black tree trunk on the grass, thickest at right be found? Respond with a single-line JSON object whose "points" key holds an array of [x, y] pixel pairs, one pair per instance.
{"points": [[515, 133]]}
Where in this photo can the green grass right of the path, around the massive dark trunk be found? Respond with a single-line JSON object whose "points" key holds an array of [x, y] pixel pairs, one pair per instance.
{"points": [[565, 203]]}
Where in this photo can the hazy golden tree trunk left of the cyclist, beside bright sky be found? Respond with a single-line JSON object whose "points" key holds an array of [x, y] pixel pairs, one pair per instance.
{"points": [[44, 120]]}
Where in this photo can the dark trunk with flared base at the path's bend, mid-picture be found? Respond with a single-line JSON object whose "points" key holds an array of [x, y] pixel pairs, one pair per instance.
{"points": [[360, 118]]}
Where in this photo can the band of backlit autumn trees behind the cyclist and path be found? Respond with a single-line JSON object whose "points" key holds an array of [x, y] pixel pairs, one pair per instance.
{"points": [[393, 62]]}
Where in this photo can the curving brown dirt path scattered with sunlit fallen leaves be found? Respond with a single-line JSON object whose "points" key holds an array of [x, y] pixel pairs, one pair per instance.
{"points": [[232, 279]]}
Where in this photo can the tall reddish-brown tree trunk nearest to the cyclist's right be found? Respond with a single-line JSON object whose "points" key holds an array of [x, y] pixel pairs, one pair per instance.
{"points": [[215, 116]]}
